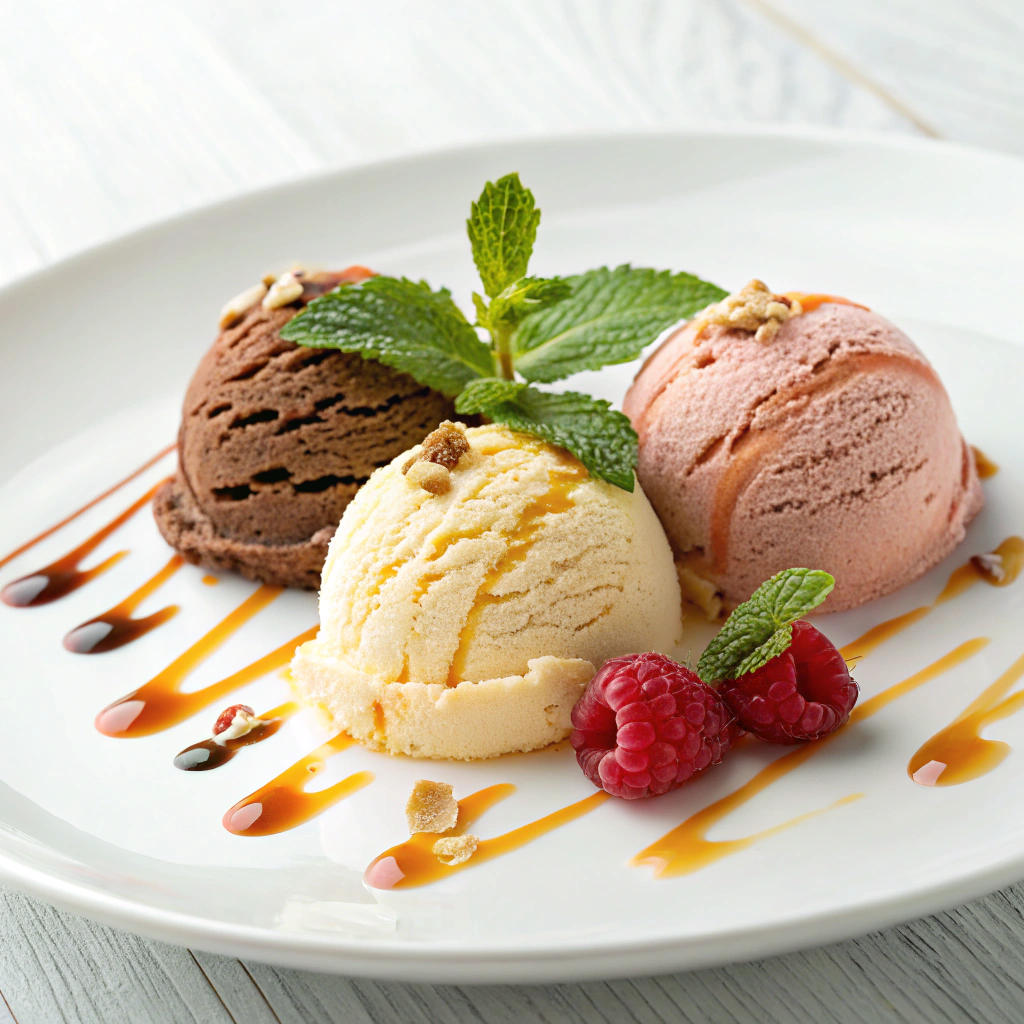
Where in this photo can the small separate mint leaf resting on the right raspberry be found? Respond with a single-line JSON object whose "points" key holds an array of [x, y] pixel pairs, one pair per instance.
{"points": [[761, 628]]}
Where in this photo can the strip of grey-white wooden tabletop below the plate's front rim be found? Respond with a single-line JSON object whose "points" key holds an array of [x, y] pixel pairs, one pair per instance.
{"points": [[965, 966]]}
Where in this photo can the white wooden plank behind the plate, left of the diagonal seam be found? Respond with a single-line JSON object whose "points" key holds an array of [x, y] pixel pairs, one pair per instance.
{"points": [[127, 113]]}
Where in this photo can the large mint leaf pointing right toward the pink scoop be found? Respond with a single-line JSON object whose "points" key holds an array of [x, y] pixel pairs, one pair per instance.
{"points": [[611, 317]]}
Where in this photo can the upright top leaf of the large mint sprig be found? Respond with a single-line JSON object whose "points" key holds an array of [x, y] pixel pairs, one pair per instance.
{"points": [[502, 228]]}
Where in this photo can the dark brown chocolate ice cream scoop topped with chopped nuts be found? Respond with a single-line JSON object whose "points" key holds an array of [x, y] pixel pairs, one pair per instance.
{"points": [[277, 439]]}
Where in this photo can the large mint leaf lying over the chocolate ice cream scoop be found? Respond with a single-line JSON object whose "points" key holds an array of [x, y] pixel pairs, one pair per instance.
{"points": [[402, 324]]}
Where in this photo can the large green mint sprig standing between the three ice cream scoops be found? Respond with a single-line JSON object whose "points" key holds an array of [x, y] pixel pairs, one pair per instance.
{"points": [[541, 329]]}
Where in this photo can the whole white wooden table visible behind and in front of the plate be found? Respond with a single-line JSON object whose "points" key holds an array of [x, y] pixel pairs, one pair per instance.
{"points": [[117, 113]]}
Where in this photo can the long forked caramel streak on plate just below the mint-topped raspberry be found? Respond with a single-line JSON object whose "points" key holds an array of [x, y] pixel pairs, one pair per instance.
{"points": [[688, 849]]}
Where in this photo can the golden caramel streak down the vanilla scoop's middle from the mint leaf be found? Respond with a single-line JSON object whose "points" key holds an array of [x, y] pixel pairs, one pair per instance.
{"points": [[559, 498]]}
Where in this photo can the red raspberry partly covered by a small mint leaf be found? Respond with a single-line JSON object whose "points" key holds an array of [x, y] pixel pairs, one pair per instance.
{"points": [[804, 694]]}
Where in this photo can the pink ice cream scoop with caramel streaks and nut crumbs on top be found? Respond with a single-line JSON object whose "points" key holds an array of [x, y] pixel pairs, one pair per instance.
{"points": [[831, 444]]}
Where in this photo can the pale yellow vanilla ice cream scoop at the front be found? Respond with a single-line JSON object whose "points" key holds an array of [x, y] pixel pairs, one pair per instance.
{"points": [[462, 618]]}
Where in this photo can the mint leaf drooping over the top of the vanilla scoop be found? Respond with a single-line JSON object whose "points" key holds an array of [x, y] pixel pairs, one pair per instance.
{"points": [[603, 440]]}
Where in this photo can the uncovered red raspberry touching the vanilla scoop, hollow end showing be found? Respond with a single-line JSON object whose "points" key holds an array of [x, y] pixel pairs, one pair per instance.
{"points": [[646, 726]]}
